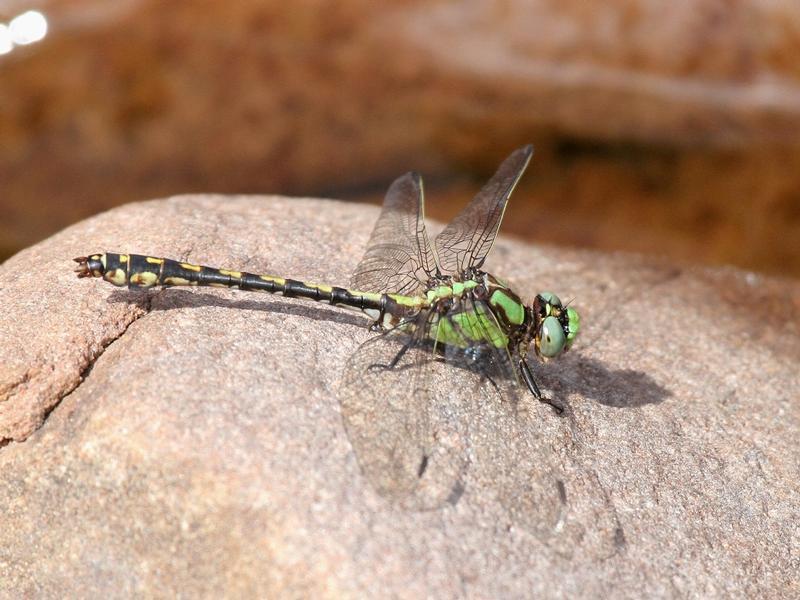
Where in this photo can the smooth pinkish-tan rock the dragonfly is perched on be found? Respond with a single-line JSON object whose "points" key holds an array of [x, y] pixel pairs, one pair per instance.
{"points": [[192, 441]]}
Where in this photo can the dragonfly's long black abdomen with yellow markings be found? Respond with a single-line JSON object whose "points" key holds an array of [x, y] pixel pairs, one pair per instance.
{"points": [[139, 271]]}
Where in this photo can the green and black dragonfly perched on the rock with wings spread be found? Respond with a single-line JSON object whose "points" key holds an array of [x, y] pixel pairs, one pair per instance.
{"points": [[430, 303]]}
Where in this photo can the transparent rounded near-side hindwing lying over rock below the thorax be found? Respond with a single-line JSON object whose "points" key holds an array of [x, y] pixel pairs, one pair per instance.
{"points": [[402, 423]]}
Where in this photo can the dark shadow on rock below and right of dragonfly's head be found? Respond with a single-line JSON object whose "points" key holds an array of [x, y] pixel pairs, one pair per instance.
{"points": [[617, 388]]}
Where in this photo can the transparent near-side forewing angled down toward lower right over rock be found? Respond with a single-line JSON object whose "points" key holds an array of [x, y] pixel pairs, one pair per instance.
{"points": [[535, 462]]}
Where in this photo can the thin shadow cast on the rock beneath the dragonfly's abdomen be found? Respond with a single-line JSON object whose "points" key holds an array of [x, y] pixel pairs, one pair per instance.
{"points": [[173, 298]]}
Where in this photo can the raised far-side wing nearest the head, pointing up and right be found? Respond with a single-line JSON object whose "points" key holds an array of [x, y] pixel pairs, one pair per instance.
{"points": [[466, 241]]}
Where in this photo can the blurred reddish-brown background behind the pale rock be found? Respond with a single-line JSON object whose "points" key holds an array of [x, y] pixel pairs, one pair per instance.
{"points": [[670, 128]]}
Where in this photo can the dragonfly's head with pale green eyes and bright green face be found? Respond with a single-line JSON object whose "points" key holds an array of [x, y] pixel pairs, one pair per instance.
{"points": [[554, 326]]}
